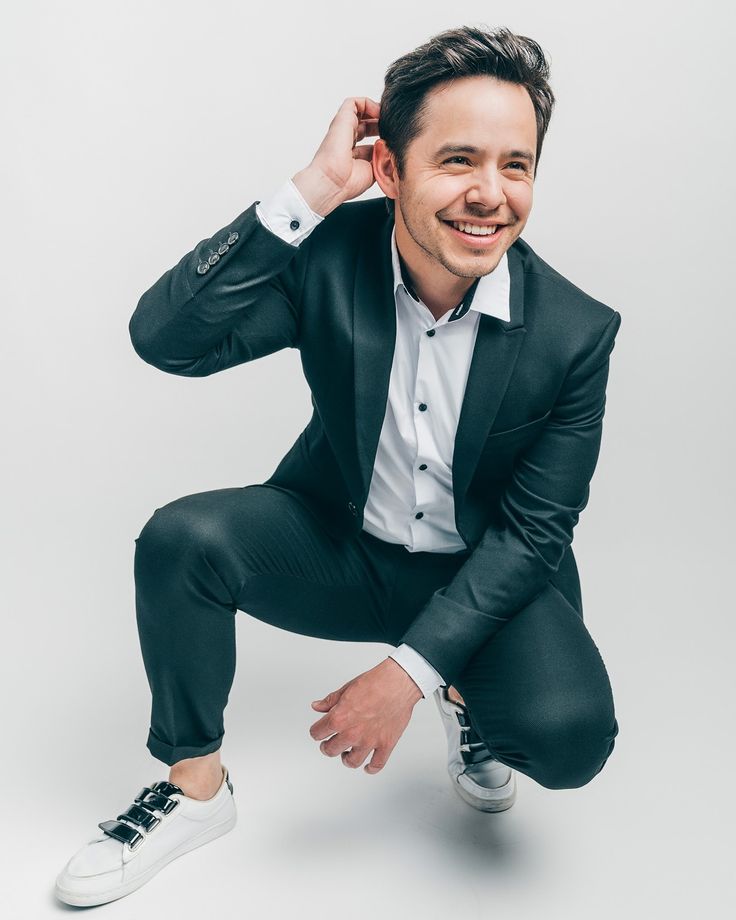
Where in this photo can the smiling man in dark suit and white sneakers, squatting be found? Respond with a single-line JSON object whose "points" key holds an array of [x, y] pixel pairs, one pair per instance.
{"points": [[458, 385]]}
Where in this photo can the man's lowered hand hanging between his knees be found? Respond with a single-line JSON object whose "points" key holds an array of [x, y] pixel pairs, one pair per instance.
{"points": [[369, 713]]}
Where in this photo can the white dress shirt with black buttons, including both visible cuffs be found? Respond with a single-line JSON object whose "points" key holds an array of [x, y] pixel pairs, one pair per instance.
{"points": [[410, 500]]}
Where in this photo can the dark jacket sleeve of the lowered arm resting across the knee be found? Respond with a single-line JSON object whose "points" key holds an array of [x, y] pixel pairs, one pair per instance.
{"points": [[548, 489]]}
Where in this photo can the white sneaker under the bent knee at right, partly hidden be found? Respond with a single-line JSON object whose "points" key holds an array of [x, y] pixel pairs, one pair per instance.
{"points": [[478, 779]]}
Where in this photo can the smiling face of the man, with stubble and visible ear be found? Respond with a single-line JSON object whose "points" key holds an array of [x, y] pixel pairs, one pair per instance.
{"points": [[473, 162]]}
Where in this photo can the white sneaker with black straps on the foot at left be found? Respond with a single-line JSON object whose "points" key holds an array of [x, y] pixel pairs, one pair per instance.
{"points": [[162, 824]]}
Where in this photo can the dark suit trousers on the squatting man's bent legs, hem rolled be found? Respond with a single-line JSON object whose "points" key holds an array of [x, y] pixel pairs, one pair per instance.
{"points": [[538, 692]]}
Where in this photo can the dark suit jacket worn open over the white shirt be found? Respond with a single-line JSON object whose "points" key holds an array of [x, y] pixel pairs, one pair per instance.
{"points": [[530, 427]]}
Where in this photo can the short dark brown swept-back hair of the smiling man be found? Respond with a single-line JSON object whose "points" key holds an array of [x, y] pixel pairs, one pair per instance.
{"points": [[452, 54]]}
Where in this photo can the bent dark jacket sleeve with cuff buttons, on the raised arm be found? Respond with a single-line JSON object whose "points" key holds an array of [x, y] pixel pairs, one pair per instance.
{"points": [[234, 298]]}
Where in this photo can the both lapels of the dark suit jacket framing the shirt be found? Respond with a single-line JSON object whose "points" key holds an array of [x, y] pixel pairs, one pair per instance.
{"points": [[496, 350]]}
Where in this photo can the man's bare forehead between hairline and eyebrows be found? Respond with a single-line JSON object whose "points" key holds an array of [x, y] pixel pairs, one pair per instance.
{"points": [[477, 110]]}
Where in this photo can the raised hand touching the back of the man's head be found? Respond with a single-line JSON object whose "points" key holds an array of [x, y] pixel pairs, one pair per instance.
{"points": [[340, 170]]}
